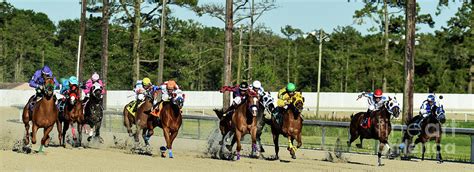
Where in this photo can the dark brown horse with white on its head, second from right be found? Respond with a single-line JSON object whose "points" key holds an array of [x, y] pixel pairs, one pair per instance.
{"points": [[381, 128]]}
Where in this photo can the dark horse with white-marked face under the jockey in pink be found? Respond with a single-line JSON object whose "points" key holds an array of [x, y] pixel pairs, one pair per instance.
{"points": [[94, 112]]}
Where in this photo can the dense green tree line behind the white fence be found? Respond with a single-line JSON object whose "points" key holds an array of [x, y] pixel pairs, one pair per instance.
{"points": [[193, 53]]}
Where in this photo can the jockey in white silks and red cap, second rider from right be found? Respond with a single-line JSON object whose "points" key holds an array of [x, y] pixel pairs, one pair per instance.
{"points": [[375, 101]]}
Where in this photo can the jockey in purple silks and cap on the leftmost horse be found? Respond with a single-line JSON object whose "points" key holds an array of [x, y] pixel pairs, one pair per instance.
{"points": [[38, 80]]}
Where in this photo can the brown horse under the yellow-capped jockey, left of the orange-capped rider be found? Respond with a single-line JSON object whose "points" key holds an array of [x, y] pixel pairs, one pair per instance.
{"points": [[140, 119]]}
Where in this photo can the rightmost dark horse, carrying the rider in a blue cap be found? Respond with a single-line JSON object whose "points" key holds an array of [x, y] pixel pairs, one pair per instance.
{"points": [[430, 129]]}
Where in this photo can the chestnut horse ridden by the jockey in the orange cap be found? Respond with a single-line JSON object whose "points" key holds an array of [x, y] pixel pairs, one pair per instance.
{"points": [[170, 120]]}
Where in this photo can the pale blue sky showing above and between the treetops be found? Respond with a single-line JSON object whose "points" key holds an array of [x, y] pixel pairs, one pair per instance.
{"points": [[307, 15]]}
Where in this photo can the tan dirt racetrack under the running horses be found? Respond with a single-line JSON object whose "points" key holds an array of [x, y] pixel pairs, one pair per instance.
{"points": [[189, 156]]}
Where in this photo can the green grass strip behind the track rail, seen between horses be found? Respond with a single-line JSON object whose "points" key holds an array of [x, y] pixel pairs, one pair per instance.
{"points": [[454, 147]]}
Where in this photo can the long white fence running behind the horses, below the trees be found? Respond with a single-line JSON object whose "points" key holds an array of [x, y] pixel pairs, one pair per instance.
{"points": [[453, 103]]}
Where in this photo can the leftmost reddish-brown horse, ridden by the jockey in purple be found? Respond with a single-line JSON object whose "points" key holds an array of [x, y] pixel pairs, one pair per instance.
{"points": [[43, 115]]}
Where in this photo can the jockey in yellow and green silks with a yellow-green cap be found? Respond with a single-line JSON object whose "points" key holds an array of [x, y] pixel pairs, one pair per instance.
{"points": [[285, 97]]}
